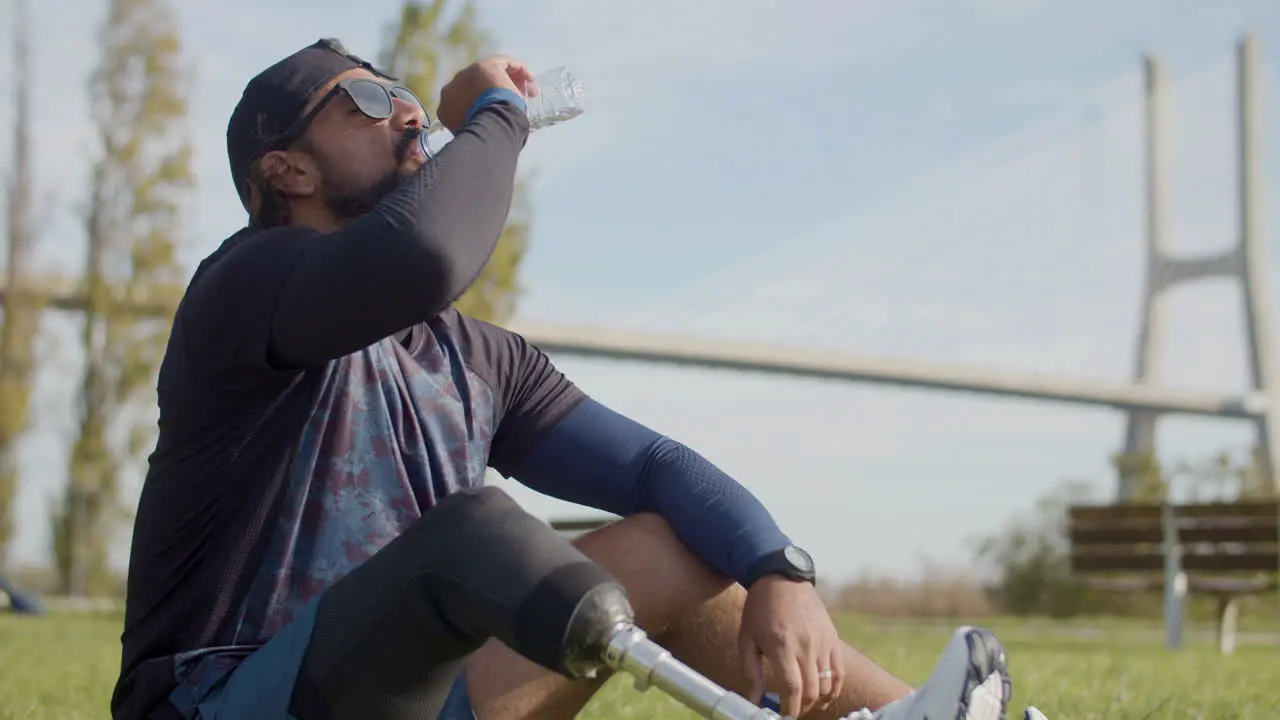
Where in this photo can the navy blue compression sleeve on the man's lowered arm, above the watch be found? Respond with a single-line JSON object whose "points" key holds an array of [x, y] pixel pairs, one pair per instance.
{"points": [[601, 459]]}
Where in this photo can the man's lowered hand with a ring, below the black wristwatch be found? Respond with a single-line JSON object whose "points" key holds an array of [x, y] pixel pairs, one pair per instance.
{"points": [[787, 625]]}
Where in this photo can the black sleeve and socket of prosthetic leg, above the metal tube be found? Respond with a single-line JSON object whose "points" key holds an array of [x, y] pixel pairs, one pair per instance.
{"points": [[391, 636]]}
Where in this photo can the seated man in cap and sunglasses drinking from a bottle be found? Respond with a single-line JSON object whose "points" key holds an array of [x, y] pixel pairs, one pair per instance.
{"points": [[313, 539]]}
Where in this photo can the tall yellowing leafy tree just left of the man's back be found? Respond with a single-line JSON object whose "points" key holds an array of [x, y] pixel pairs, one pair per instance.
{"points": [[136, 194]]}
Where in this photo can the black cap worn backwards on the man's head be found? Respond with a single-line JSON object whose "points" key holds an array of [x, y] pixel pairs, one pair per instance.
{"points": [[276, 99]]}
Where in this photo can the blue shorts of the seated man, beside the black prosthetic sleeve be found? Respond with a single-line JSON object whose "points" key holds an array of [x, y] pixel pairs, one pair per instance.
{"points": [[262, 686]]}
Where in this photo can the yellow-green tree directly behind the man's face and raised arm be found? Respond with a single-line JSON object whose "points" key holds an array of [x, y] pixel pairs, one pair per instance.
{"points": [[424, 49]]}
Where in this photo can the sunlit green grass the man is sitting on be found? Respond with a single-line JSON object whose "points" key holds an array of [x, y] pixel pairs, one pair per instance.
{"points": [[63, 668]]}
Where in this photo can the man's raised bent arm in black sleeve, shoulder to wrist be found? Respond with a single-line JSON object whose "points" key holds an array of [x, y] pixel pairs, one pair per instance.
{"points": [[413, 256]]}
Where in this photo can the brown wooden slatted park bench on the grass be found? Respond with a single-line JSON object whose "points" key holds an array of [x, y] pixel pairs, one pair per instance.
{"points": [[1226, 550]]}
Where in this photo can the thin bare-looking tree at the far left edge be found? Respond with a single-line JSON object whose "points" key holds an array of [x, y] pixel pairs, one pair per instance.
{"points": [[22, 306]]}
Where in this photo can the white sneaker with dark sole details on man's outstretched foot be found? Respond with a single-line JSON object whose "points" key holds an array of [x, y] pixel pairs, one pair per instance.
{"points": [[971, 682]]}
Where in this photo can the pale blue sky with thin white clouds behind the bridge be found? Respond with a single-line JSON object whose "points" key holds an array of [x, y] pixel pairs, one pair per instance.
{"points": [[956, 181]]}
